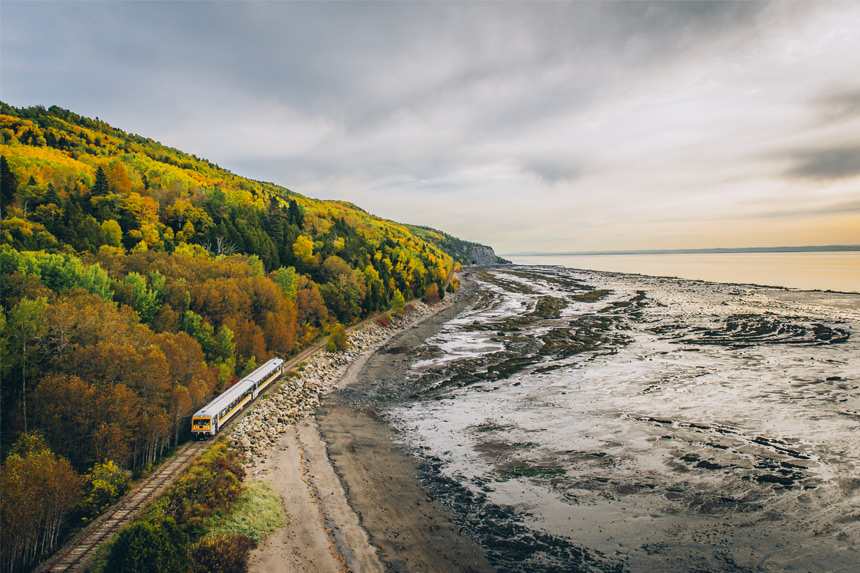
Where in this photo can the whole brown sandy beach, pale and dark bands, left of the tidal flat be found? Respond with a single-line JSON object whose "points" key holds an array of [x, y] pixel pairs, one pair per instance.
{"points": [[351, 493]]}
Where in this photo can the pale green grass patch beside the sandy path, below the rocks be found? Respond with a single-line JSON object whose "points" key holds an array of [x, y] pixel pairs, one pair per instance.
{"points": [[257, 513]]}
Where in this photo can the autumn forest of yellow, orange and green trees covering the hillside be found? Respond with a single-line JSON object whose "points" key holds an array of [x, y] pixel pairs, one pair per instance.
{"points": [[139, 281]]}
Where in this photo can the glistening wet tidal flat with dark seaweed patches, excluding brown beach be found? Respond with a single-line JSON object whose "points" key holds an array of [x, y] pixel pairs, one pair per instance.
{"points": [[580, 420]]}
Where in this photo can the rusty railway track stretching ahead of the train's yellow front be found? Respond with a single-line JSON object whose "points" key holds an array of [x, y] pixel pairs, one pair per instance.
{"points": [[76, 553]]}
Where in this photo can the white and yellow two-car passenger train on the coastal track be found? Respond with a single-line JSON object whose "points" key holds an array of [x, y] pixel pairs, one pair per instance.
{"points": [[206, 422]]}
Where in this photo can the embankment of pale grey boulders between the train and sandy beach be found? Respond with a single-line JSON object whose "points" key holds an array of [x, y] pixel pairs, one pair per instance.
{"points": [[298, 394]]}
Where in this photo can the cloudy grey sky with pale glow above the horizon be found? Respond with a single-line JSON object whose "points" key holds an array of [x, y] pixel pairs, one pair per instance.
{"points": [[531, 127]]}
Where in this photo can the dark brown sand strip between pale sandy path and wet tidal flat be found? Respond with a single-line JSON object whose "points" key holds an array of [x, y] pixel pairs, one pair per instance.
{"points": [[412, 532]]}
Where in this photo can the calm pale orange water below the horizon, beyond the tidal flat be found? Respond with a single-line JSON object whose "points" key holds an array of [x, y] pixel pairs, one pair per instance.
{"points": [[809, 271]]}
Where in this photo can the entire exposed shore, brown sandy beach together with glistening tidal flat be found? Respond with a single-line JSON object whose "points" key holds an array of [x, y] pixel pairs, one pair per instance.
{"points": [[663, 436]]}
